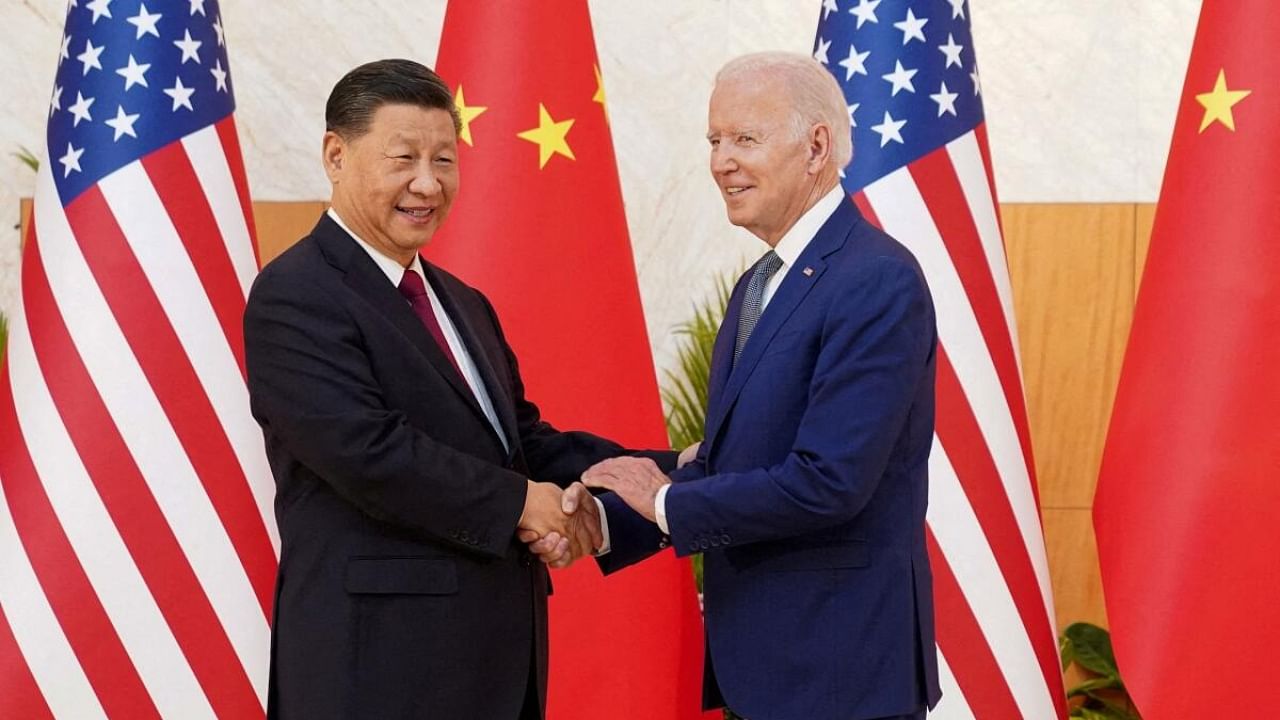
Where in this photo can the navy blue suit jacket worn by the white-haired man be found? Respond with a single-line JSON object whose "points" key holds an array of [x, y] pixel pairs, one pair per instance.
{"points": [[810, 493]]}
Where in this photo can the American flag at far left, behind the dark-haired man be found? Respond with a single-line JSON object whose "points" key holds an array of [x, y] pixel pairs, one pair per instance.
{"points": [[138, 545]]}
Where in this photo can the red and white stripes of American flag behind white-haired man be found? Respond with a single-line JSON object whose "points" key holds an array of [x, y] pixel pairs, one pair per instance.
{"points": [[994, 601]]}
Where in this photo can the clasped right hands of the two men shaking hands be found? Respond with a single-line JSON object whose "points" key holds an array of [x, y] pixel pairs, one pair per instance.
{"points": [[560, 526]]}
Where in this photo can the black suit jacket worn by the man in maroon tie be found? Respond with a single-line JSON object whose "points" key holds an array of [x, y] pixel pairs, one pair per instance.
{"points": [[403, 591]]}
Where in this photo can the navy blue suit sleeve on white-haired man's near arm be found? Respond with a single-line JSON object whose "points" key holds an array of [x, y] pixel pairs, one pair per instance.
{"points": [[877, 348]]}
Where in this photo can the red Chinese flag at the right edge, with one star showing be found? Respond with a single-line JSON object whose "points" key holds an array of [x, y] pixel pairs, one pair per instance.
{"points": [[1188, 504]]}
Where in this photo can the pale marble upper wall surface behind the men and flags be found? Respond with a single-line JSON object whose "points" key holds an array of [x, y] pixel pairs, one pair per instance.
{"points": [[1080, 101]]}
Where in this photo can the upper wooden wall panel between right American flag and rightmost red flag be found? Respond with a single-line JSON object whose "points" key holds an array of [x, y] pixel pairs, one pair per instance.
{"points": [[1072, 270]]}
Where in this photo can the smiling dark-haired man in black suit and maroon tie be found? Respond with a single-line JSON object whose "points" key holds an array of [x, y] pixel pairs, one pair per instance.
{"points": [[401, 441]]}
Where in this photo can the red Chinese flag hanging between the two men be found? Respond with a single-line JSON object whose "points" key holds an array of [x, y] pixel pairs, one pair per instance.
{"points": [[538, 226]]}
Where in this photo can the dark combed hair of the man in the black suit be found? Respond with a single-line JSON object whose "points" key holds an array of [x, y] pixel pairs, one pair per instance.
{"points": [[364, 90]]}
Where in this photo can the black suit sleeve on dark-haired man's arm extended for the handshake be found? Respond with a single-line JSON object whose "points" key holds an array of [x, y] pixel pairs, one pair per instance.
{"points": [[314, 393]]}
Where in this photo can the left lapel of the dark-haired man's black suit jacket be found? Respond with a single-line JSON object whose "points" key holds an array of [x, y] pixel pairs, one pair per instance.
{"points": [[368, 281]]}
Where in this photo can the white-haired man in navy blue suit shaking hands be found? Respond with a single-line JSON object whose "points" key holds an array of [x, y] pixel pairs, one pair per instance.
{"points": [[808, 495]]}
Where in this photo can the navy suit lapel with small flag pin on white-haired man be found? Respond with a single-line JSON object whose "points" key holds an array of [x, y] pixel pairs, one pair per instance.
{"points": [[796, 288]]}
